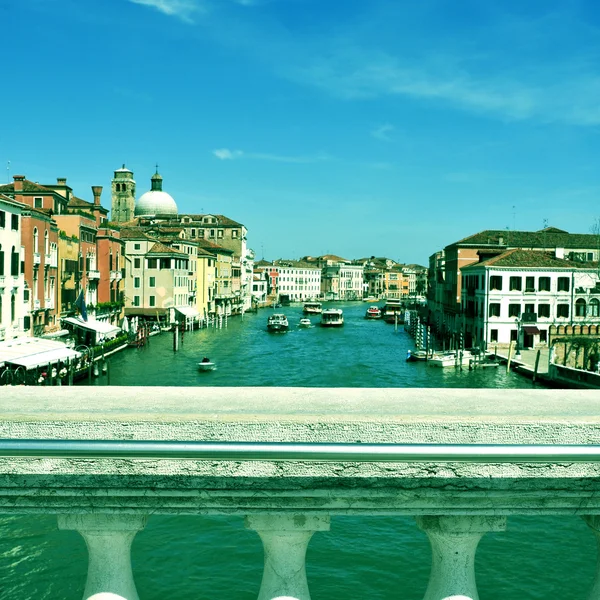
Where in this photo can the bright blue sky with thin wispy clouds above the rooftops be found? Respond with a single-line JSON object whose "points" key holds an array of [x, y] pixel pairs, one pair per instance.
{"points": [[371, 127]]}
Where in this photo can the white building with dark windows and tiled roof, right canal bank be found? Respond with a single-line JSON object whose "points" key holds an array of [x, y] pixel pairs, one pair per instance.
{"points": [[519, 294]]}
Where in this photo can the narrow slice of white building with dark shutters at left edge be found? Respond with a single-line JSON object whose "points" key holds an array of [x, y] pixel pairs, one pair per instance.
{"points": [[12, 281]]}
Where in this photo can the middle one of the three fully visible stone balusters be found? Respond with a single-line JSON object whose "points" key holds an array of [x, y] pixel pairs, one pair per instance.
{"points": [[285, 539]]}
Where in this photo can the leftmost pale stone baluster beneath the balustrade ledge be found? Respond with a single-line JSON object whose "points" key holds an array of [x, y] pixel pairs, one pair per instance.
{"points": [[108, 539]]}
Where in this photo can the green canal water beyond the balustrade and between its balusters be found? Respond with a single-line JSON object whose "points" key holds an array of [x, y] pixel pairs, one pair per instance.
{"points": [[203, 558]]}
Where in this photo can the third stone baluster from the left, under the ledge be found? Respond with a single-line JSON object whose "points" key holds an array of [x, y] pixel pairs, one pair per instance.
{"points": [[454, 541]]}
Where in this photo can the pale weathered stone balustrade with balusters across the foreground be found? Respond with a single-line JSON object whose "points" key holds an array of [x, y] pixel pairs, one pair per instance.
{"points": [[456, 495]]}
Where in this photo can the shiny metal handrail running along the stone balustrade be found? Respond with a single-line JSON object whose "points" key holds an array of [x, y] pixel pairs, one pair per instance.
{"points": [[284, 451]]}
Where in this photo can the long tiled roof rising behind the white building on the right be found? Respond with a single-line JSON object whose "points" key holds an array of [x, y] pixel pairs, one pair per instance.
{"points": [[551, 237]]}
